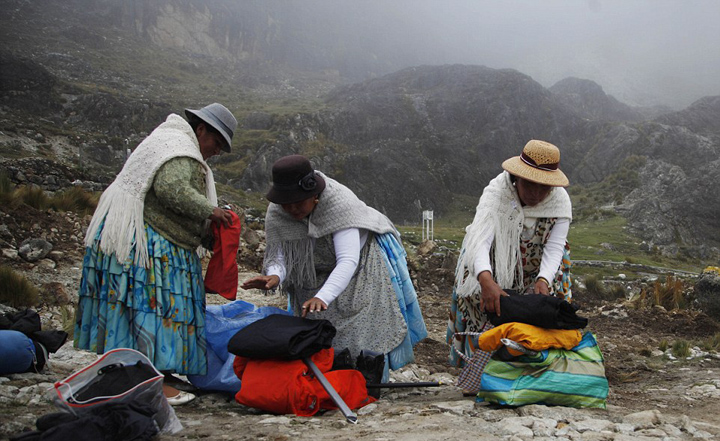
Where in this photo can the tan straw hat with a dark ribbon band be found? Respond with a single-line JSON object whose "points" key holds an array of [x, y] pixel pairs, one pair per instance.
{"points": [[539, 162]]}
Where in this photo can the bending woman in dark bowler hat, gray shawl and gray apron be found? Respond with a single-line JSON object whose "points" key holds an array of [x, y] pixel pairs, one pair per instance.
{"points": [[339, 260]]}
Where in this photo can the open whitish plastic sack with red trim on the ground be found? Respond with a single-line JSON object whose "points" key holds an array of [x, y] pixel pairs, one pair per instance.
{"points": [[119, 376]]}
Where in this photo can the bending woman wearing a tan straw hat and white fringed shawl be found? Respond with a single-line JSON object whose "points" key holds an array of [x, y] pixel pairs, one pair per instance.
{"points": [[517, 240]]}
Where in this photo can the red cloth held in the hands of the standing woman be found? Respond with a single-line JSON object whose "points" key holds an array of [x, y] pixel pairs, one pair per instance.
{"points": [[222, 275]]}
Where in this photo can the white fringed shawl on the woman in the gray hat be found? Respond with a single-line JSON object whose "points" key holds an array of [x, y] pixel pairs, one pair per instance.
{"points": [[121, 205]]}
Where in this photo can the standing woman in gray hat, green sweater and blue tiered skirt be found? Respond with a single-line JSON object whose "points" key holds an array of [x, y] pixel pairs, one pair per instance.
{"points": [[142, 285]]}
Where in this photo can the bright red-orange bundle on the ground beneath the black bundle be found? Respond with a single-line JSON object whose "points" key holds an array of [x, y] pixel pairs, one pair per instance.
{"points": [[288, 387]]}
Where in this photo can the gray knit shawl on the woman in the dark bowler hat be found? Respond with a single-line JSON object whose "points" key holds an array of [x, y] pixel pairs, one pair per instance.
{"points": [[338, 209]]}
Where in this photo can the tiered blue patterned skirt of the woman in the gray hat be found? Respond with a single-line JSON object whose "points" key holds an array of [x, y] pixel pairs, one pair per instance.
{"points": [[159, 311]]}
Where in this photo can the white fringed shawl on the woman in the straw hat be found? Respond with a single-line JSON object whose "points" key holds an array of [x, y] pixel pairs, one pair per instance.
{"points": [[499, 211]]}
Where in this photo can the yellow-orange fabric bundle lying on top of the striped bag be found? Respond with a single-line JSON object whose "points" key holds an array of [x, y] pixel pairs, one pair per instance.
{"points": [[529, 336]]}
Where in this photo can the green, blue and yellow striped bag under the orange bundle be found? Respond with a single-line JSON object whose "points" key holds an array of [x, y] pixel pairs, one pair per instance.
{"points": [[556, 377]]}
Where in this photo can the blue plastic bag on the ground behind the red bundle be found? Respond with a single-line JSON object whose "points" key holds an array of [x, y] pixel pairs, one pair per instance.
{"points": [[221, 323]]}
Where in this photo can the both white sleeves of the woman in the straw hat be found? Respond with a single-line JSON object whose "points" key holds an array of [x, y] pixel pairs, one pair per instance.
{"points": [[552, 252]]}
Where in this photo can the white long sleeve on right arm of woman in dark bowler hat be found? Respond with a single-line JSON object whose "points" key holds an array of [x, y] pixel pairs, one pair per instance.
{"points": [[348, 244]]}
